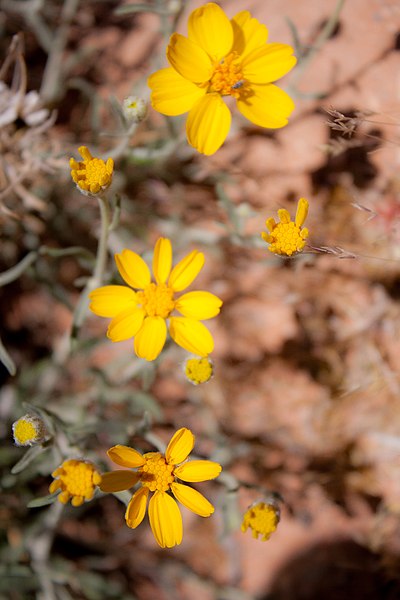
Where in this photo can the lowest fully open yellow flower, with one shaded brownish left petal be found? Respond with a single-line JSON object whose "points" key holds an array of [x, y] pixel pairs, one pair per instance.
{"points": [[158, 473]]}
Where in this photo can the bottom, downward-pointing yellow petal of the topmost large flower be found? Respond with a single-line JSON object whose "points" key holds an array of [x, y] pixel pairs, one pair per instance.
{"points": [[208, 124]]}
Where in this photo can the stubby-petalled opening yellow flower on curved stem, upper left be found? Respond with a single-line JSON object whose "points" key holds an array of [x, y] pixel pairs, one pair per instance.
{"points": [[92, 175]]}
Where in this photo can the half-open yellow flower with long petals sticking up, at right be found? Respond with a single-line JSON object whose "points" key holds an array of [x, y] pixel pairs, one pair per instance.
{"points": [[287, 237]]}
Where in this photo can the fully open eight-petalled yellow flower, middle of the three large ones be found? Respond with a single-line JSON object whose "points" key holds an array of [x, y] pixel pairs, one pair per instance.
{"points": [[144, 314]]}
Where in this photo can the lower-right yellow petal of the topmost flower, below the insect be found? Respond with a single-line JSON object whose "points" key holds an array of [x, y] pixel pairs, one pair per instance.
{"points": [[268, 107]]}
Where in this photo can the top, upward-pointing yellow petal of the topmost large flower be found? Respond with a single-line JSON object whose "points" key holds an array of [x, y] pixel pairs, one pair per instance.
{"points": [[211, 29]]}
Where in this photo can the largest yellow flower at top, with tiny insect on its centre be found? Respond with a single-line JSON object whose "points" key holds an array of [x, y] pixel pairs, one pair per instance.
{"points": [[222, 58]]}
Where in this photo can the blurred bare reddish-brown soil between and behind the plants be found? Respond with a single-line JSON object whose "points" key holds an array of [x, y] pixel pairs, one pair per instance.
{"points": [[305, 398]]}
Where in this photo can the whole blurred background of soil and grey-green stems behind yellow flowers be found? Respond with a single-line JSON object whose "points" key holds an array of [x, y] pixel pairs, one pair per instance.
{"points": [[305, 400]]}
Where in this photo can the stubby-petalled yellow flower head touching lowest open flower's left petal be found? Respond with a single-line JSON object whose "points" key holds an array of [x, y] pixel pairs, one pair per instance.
{"points": [[77, 479]]}
